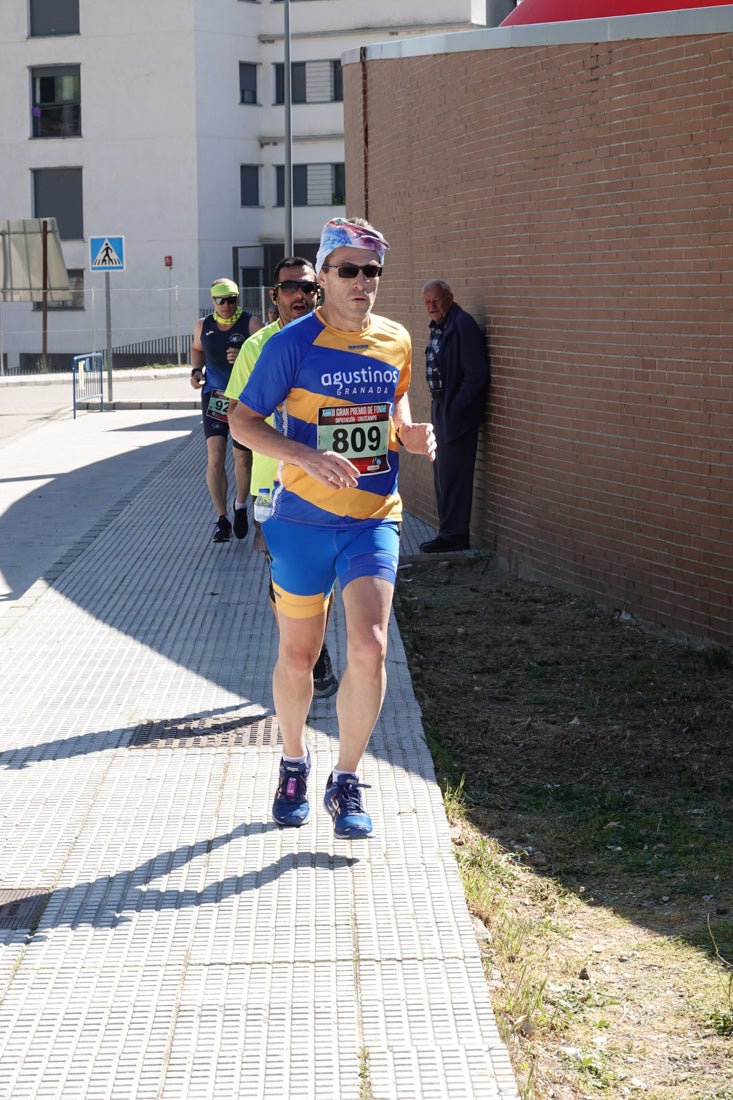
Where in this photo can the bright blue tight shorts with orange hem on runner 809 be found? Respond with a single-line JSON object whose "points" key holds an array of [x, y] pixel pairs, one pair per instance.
{"points": [[308, 560]]}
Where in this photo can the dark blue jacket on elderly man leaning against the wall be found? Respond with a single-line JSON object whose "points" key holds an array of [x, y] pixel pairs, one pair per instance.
{"points": [[465, 372]]}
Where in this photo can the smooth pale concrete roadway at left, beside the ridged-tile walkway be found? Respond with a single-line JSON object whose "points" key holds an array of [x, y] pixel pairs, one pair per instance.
{"points": [[59, 485]]}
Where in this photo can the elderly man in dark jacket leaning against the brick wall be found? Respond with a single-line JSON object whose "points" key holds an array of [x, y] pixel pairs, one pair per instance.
{"points": [[457, 372]]}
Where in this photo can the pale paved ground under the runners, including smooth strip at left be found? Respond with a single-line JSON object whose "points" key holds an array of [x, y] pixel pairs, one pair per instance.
{"points": [[161, 937]]}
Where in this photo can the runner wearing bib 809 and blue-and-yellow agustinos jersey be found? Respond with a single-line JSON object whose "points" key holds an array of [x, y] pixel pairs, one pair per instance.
{"points": [[337, 382]]}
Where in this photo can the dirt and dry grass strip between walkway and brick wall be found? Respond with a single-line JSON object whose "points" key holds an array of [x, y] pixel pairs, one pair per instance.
{"points": [[596, 842]]}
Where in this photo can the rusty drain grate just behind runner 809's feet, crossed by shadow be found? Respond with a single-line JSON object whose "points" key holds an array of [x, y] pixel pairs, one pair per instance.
{"points": [[213, 732]]}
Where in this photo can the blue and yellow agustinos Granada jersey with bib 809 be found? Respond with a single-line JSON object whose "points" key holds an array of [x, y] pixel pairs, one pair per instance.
{"points": [[335, 391]]}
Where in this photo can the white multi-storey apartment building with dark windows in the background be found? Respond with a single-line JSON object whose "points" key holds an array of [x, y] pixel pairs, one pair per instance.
{"points": [[165, 125]]}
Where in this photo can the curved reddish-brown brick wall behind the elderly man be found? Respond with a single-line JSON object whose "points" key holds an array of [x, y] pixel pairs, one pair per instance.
{"points": [[578, 199]]}
